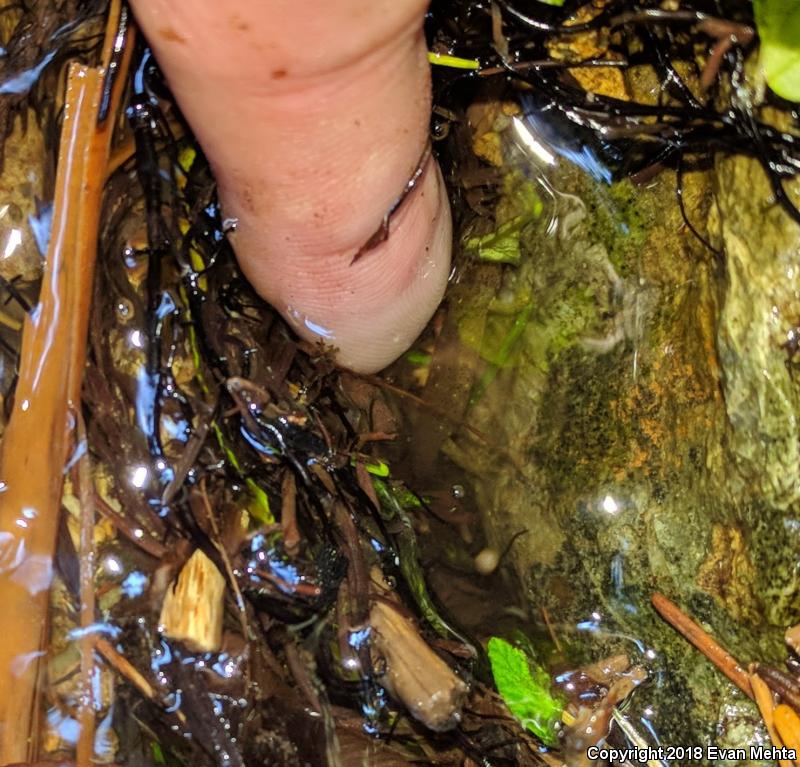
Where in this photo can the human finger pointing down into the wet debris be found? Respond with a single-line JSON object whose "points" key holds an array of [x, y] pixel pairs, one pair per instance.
{"points": [[314, 114]]}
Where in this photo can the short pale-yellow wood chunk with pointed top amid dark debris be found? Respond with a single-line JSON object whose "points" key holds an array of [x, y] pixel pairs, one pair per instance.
{"points": [[193, 607]]}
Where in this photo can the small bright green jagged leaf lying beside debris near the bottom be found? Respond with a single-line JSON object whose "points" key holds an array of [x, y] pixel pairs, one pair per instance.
{"points": [[525, 690]]}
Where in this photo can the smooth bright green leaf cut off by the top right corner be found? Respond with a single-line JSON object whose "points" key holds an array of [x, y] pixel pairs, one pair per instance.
{"points": [[778, 23]]}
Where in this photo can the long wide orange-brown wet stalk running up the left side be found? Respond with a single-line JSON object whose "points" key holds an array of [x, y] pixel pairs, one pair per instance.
{"points": [[36, 441]]}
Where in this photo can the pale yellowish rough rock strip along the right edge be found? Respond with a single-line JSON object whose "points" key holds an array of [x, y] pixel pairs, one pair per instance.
{"points": [[757, 328]]}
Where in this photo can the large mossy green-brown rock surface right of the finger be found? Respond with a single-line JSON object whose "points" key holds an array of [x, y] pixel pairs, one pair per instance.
{"points": [[640, 422]]}
